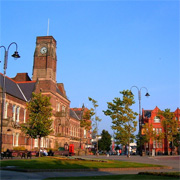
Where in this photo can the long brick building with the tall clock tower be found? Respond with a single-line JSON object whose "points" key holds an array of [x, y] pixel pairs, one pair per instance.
{"points": [[19, 90]]}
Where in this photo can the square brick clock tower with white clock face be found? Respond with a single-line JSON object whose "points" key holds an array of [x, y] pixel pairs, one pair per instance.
{"points": [[45, 59]]}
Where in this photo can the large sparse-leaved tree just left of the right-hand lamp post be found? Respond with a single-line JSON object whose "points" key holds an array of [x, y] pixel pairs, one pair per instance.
{"points": [[123, 118]]}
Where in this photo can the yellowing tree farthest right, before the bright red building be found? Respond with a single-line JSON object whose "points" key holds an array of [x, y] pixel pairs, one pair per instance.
{"points": [[170, 126]]}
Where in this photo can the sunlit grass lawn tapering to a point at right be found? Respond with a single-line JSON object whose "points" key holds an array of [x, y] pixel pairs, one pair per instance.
{"points": [[60, 163]]}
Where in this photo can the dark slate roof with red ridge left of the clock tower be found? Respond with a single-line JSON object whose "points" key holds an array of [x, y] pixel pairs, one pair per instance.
{"points": [[20, 90]]}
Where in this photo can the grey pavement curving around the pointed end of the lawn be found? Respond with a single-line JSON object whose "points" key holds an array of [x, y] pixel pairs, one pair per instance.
{"points": [[171, 161]]}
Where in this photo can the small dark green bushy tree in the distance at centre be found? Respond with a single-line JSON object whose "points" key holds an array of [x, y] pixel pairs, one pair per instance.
{"points": [[105, 141]]}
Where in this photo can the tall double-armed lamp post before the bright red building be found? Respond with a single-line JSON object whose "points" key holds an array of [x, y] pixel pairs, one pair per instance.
{"points": [[139, 98]]}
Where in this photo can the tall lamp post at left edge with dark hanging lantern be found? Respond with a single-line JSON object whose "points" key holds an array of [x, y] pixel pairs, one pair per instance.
{"points": [[15, 55]]}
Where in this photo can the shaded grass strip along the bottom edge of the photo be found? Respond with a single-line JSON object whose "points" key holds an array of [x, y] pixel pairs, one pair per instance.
{"points": [[126, 177]]}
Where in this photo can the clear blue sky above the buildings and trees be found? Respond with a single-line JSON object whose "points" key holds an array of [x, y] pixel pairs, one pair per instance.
{"points": [[103, 47]]}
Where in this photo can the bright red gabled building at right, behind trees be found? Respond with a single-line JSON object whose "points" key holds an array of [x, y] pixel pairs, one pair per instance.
{"points": [[151, 117]]}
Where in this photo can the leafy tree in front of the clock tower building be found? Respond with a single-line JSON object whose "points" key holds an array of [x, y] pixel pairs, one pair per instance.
{"points": [[39, 122]]}
